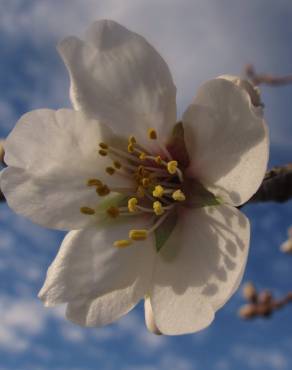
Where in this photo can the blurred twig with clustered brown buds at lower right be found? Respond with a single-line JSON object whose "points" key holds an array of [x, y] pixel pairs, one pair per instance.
{"points": [[261, 304]]}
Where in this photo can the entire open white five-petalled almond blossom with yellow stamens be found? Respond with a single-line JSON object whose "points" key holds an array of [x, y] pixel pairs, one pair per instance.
{"points": [[151, 203]]}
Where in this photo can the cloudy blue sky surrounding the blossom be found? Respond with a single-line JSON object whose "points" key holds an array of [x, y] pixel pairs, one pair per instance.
{"points": [[200, 40]]}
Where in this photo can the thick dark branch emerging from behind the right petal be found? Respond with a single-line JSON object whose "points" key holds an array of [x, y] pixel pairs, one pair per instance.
{"points": [[276, 186]]}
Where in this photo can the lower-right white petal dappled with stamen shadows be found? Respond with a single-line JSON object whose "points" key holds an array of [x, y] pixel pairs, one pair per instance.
{"points": [[199, 268]]}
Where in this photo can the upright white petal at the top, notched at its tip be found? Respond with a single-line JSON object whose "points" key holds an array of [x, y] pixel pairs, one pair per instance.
{"points": [[117, 76]]}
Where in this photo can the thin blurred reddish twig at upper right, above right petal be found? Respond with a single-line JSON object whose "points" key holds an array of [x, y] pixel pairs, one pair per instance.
{"points": [[265, 78]]}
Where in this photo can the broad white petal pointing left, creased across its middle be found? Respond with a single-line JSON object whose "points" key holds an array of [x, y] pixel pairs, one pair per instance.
{"points": [[51, 155]]}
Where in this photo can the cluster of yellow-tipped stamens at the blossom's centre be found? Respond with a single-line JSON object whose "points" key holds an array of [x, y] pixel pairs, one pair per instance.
{"points": [[157, 185]]}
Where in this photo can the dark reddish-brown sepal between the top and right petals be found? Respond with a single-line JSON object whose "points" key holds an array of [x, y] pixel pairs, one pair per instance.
{"points": [[177, 146]]}
